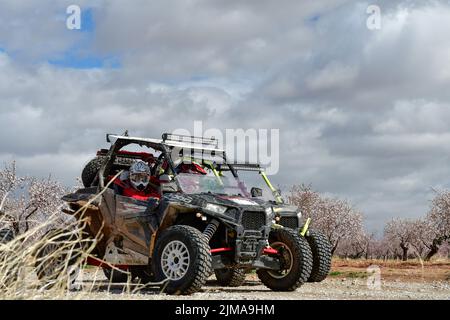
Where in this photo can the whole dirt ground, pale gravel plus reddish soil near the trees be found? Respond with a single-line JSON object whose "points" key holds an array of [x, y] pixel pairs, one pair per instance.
{"points": [[347, 280]]}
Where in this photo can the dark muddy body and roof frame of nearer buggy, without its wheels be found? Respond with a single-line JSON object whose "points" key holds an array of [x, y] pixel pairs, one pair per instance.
{"points": [[129, 228]]}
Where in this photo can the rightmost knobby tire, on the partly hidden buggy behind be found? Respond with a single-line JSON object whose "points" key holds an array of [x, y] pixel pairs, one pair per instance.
{"points": [[321, 250]]}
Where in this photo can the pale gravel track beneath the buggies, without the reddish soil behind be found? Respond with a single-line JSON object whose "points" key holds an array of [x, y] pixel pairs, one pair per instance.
{"points": [[331, 288]]}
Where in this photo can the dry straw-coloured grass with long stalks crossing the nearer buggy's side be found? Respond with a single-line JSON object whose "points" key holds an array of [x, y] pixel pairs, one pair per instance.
{"points": [[42, 264]]}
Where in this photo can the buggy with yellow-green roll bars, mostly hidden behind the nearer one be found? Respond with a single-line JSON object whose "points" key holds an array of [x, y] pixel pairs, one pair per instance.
{"points": [[289, 216]]}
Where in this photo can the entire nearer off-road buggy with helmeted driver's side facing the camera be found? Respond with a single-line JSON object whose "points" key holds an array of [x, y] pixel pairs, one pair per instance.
{"points": [[201, 223]]}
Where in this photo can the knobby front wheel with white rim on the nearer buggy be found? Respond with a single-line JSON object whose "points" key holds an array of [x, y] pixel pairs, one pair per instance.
{"points": [[182, 255]]}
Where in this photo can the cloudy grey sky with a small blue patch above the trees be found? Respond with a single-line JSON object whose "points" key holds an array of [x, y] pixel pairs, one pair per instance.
{"points": [[363, 114]]}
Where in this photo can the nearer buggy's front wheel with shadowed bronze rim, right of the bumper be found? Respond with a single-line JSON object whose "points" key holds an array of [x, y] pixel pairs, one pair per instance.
{"points": [[296, 261]]}
